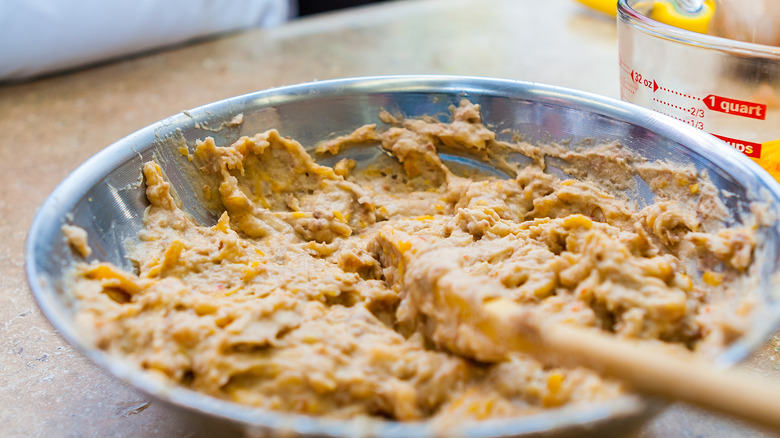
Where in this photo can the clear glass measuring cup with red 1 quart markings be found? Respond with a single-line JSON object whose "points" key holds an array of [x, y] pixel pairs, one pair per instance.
{"points": [[728, 88]]}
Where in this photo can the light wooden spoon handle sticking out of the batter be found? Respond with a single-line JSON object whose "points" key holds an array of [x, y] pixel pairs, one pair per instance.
{"points": [[645, 368]]}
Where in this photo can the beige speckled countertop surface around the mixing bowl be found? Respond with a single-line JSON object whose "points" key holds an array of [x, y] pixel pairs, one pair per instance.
{"points": [[52, 125]]}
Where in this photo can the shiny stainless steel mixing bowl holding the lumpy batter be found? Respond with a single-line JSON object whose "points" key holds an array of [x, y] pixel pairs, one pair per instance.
{"points": [[106, 197]]}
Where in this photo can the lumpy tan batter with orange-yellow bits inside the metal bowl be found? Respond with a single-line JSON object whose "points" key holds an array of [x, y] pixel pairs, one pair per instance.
{"points": [[344, 291]]}
